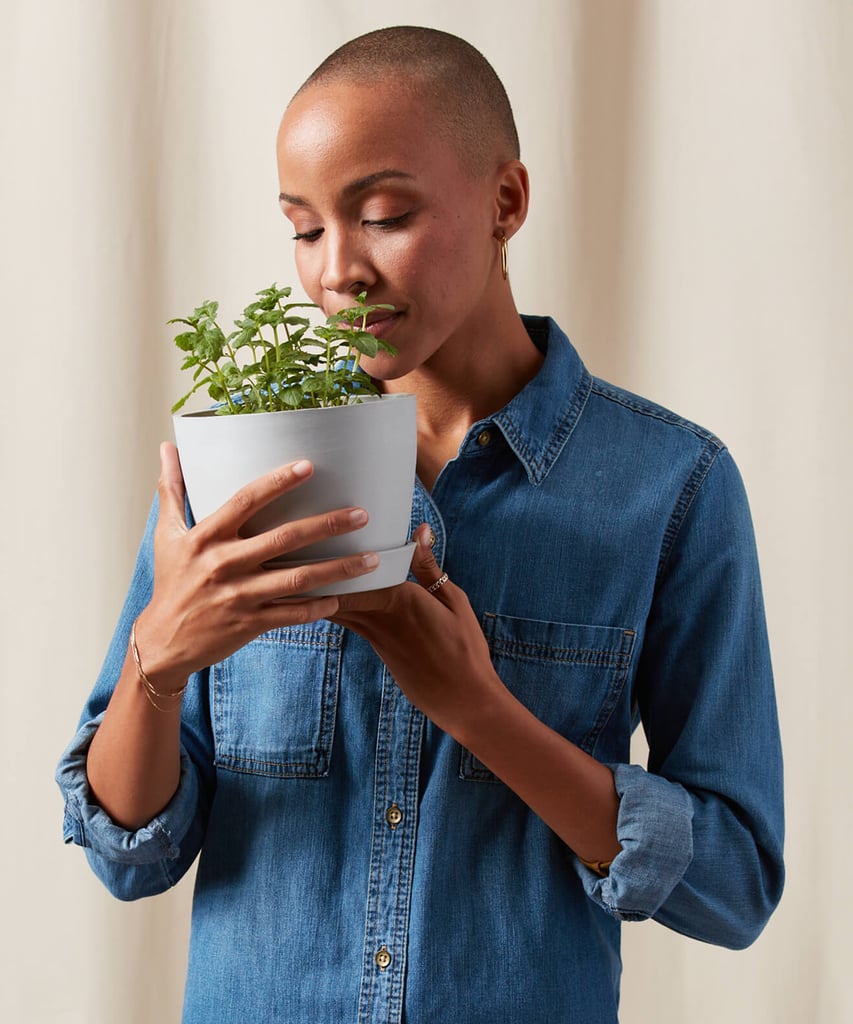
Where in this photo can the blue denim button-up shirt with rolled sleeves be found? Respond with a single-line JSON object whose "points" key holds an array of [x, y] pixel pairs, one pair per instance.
{"points": [[358, 865]]}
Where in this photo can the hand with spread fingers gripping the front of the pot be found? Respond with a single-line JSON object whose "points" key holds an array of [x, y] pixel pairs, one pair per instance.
{"points": [[211, 592]]}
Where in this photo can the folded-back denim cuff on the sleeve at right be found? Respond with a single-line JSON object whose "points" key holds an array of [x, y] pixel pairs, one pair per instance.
{"points": [[655, 829]]}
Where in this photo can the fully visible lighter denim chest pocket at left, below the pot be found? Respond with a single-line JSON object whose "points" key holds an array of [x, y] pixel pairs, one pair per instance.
{"points": [[275, 703]]}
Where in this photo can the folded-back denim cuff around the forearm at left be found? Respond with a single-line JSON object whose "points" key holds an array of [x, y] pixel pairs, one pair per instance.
{"points": [[89, 826]]}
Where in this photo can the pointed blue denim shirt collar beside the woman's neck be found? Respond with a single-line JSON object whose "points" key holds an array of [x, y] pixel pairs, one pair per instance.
{"points": [[539, 421]]}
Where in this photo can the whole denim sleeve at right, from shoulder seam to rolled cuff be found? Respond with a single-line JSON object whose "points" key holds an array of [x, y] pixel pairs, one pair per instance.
{"points": [[702, 830]]}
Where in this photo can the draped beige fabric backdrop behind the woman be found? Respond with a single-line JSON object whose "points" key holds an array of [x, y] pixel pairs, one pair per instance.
{"points": [[692, 229]]}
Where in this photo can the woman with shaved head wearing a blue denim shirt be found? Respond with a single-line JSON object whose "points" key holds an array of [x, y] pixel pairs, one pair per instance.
{"points": [[416, 803]]}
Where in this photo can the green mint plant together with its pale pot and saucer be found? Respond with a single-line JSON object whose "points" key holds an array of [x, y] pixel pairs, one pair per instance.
{"points": [[285, 391]]}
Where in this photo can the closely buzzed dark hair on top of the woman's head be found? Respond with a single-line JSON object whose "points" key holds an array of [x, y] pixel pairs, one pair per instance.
{"points": [[470, 105]]}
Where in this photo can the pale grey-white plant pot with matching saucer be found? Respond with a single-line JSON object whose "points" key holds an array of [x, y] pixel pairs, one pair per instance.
{"points": [[364, 455]]}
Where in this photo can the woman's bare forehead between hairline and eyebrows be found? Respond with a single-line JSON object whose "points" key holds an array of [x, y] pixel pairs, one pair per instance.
{"points": [[360, 127]]}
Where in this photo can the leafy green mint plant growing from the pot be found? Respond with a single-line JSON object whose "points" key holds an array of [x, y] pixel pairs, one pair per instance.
{"points": [[276, 360]]}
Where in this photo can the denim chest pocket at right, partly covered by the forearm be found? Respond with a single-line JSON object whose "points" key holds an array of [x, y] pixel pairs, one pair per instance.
{"points": [[571, 677]]}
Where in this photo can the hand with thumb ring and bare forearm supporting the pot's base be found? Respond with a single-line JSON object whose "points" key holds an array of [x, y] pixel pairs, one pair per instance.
{"points": [[435, 649]]}
